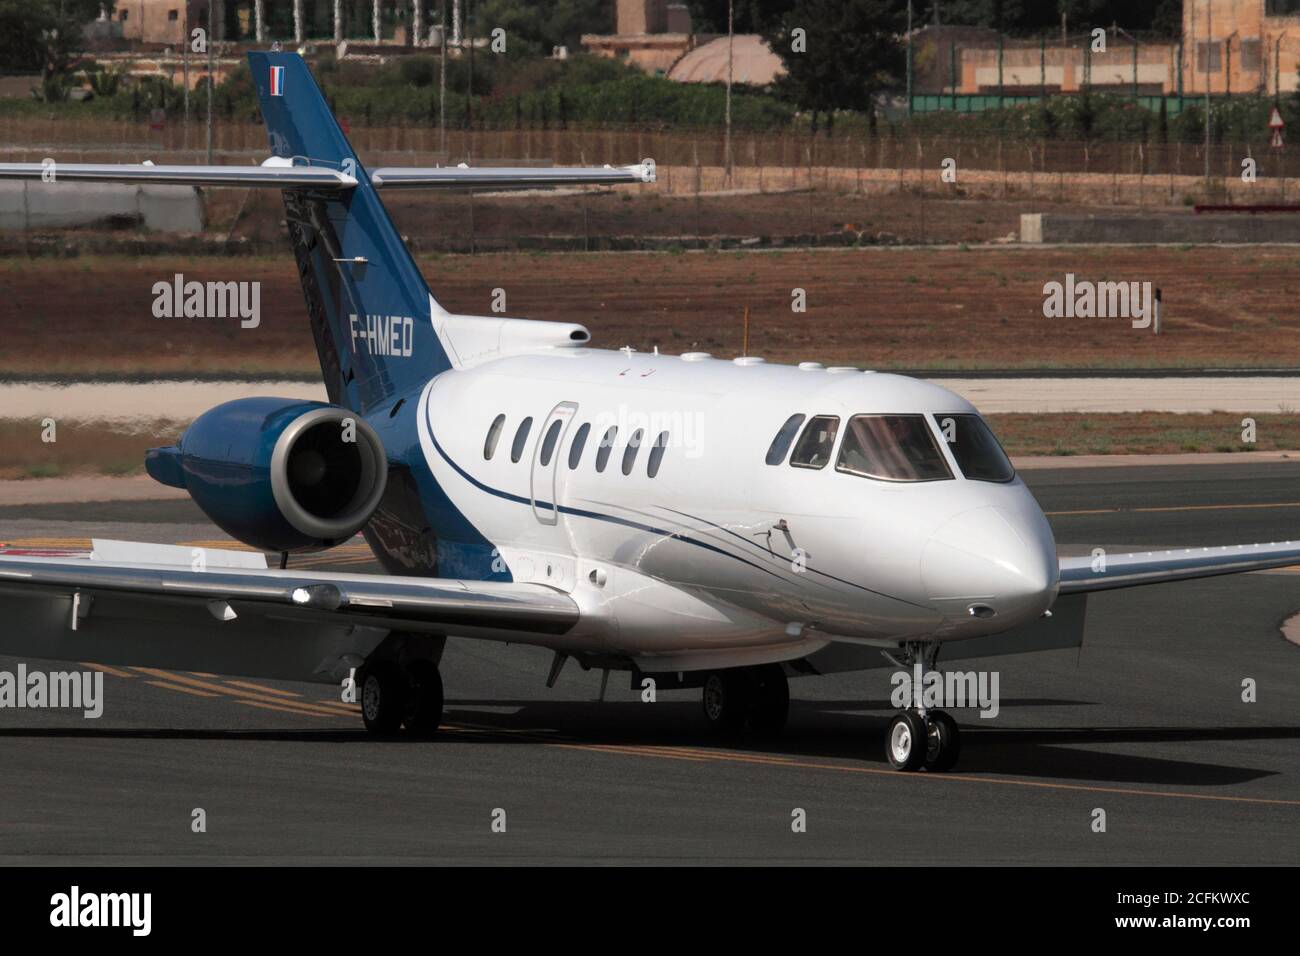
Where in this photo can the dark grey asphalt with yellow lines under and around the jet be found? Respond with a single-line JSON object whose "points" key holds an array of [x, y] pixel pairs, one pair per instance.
{"points": [[1147, 723]]}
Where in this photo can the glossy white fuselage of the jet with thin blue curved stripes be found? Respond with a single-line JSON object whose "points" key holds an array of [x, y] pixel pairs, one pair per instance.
{"points": [[721, 556]]}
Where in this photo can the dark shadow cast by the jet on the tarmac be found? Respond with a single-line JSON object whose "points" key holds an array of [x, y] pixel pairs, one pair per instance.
{"points": [[820, 730]]}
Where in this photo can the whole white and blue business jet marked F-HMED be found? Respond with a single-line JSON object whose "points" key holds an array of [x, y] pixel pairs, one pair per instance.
{"points": [[695, 522]]}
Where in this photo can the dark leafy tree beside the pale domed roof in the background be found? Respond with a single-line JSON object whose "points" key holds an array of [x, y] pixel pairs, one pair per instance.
{"points": [[851, 51]]}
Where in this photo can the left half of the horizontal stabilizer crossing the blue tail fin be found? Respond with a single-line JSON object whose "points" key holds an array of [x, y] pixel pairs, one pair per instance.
{"points": [[275, 176]]}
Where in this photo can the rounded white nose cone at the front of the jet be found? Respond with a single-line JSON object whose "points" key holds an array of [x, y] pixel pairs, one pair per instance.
{"points": [[982, 559]]}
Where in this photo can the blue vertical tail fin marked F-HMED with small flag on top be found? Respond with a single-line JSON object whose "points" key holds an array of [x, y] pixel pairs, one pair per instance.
{"points": [[369, 304]]}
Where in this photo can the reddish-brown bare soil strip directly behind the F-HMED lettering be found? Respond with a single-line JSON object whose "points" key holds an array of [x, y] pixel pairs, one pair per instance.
{"points": [[978, 308]]}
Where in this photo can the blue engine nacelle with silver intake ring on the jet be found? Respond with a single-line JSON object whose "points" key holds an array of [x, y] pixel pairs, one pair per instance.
{"points": [[279, 474]]}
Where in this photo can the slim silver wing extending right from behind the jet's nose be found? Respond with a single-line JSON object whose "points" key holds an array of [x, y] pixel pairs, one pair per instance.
{"points": [[1085, 574]]}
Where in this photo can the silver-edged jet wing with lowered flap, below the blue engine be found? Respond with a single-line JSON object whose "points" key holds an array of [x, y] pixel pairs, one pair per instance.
{"points": [[252, 622]]}
